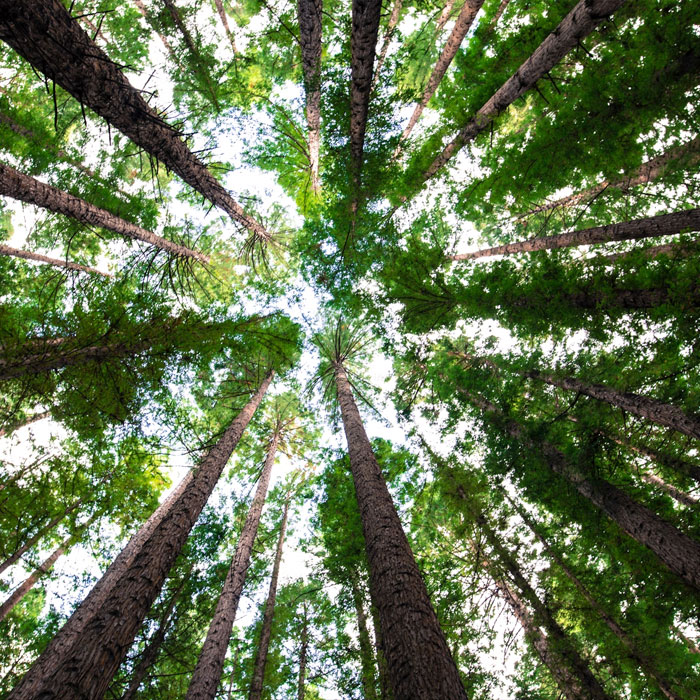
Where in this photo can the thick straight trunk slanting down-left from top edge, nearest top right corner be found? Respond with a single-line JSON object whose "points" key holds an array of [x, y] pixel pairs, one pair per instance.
{"points": [[580, 22]]}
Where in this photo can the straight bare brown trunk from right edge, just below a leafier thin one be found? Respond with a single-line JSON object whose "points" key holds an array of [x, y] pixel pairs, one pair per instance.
{"points": [[651, 227]]}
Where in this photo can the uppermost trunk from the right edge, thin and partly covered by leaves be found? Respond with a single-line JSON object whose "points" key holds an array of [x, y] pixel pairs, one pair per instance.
{"points": [[646, 172]]}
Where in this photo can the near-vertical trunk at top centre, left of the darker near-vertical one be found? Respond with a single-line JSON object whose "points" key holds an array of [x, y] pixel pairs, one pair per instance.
{"points": [[309, 13]]}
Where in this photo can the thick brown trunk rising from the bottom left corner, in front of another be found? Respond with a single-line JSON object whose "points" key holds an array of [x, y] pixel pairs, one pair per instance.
{"points": [[88, 662]]}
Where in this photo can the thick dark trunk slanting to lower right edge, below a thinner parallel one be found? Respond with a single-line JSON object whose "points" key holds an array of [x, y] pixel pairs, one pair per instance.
{"points": [[678, 552]]}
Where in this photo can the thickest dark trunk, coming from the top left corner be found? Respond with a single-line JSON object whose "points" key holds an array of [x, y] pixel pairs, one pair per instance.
{"points": [[44, 33]]}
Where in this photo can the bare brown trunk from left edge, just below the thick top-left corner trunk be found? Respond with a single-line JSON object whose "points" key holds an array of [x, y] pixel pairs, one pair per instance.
{"points": [[27, 189]]}
